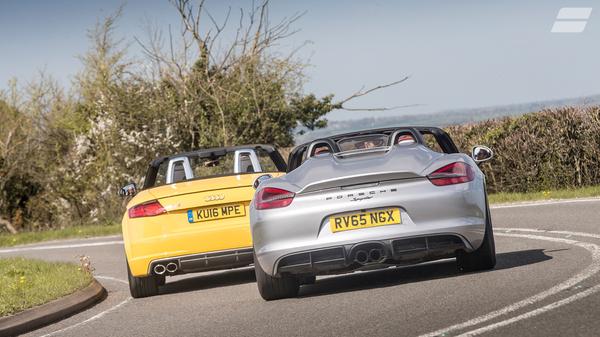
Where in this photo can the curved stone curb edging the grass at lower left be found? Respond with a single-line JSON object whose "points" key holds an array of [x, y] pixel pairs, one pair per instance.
{"points": [[53, 311]]}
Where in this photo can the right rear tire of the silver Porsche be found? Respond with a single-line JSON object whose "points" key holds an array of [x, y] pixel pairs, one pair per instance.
{"points": [[484, 257]]}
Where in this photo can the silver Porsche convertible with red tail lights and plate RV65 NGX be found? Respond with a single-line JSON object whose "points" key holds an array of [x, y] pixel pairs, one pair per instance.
{"points": [[368, 200]]}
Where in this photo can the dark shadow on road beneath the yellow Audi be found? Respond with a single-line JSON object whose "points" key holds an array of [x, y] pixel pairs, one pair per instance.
{"points": [[207, 281]]}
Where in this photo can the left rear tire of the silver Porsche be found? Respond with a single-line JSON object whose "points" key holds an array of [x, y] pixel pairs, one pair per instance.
{"points": [[274, 288]]}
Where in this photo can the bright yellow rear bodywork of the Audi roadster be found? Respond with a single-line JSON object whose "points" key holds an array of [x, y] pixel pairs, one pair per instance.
{"points": [[170, 234]]}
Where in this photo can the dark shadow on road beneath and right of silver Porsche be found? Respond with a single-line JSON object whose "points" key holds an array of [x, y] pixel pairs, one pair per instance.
{"points": [[396, 276]]}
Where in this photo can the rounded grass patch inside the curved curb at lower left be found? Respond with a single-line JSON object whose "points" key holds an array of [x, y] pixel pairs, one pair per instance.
{"points": [[26, 283]]}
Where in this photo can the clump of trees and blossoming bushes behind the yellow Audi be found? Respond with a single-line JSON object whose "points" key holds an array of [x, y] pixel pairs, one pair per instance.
{"points": [[63, 155]]}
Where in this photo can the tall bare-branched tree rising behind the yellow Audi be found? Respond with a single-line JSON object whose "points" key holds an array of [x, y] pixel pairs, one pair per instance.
{"points": [[201, 63]]}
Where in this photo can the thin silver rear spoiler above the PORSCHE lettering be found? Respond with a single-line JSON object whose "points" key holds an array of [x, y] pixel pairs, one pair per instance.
{"points": [[361, 179]]}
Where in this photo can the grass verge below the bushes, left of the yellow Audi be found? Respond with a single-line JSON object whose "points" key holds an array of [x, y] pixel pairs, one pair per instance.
{"points": [[7, 239]]}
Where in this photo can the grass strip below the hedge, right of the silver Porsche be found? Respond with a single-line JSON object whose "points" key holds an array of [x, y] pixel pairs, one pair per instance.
{"points": [[499, 198]]}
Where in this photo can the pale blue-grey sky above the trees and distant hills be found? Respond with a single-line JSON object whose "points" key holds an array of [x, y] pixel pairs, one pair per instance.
{"points": [[458, 54]]}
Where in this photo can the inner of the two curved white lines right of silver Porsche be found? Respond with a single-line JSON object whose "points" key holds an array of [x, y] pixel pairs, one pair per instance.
{"points": [[592, 269]]}
